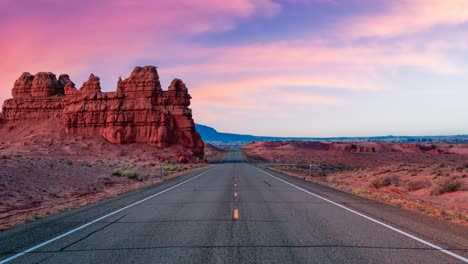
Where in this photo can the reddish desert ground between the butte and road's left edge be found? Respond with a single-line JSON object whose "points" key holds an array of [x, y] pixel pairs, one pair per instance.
{"points": [[44, 171]]}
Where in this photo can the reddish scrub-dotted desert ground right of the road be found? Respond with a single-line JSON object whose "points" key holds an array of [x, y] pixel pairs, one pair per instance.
{"points": [[432, 182]]}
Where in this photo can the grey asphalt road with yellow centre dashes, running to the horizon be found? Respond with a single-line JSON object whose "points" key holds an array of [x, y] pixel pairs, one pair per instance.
{"points": [[236, 213]]}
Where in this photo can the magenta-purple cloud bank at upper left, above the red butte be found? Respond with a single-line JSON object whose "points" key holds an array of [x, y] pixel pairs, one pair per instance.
{"points": [[72, 36]]}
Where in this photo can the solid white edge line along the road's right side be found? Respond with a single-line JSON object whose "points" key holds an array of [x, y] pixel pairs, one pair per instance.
{"points": [[373, 220]]}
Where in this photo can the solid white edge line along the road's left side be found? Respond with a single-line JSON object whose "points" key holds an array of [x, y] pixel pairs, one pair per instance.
{"points": [[99, 219]]}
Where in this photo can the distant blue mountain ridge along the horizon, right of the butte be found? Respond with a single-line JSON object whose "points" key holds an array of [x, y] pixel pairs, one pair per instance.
{"points": [[212, 136]]}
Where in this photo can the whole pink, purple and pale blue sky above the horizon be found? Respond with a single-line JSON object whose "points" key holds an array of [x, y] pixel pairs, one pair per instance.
{"points": [[306, 68]]}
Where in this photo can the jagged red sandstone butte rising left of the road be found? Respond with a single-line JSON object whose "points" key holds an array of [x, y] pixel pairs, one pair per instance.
{"points": [[138, 112]]}
